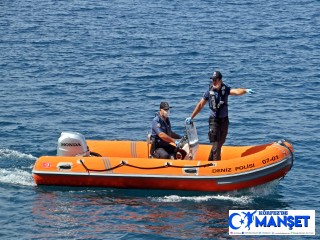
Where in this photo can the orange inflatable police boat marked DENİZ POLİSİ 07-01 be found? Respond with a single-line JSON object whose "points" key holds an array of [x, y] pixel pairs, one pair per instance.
{"points": [[127, 164]]}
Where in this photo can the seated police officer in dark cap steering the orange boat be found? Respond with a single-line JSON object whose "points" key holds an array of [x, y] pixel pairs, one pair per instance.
{"points": [[162, 135]]}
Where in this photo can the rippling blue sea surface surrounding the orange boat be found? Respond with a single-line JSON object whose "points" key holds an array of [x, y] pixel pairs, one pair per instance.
{"points": [[101, 68]]}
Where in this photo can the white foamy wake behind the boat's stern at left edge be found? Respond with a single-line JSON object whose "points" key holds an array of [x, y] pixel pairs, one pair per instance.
{"points": [[16, 176]]}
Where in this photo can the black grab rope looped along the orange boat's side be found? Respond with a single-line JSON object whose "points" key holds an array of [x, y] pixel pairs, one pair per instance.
{"points": [[124, 163]]}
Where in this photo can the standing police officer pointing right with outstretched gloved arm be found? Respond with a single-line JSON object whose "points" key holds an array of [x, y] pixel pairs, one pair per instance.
{"points": [[217, 95]]}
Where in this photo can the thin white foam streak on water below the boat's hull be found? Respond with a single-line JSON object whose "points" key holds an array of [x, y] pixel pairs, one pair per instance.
{"points": [[176, 198]]}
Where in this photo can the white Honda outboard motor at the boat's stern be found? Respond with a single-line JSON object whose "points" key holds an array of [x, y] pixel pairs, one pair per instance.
{"points": [[72, 144]]}
